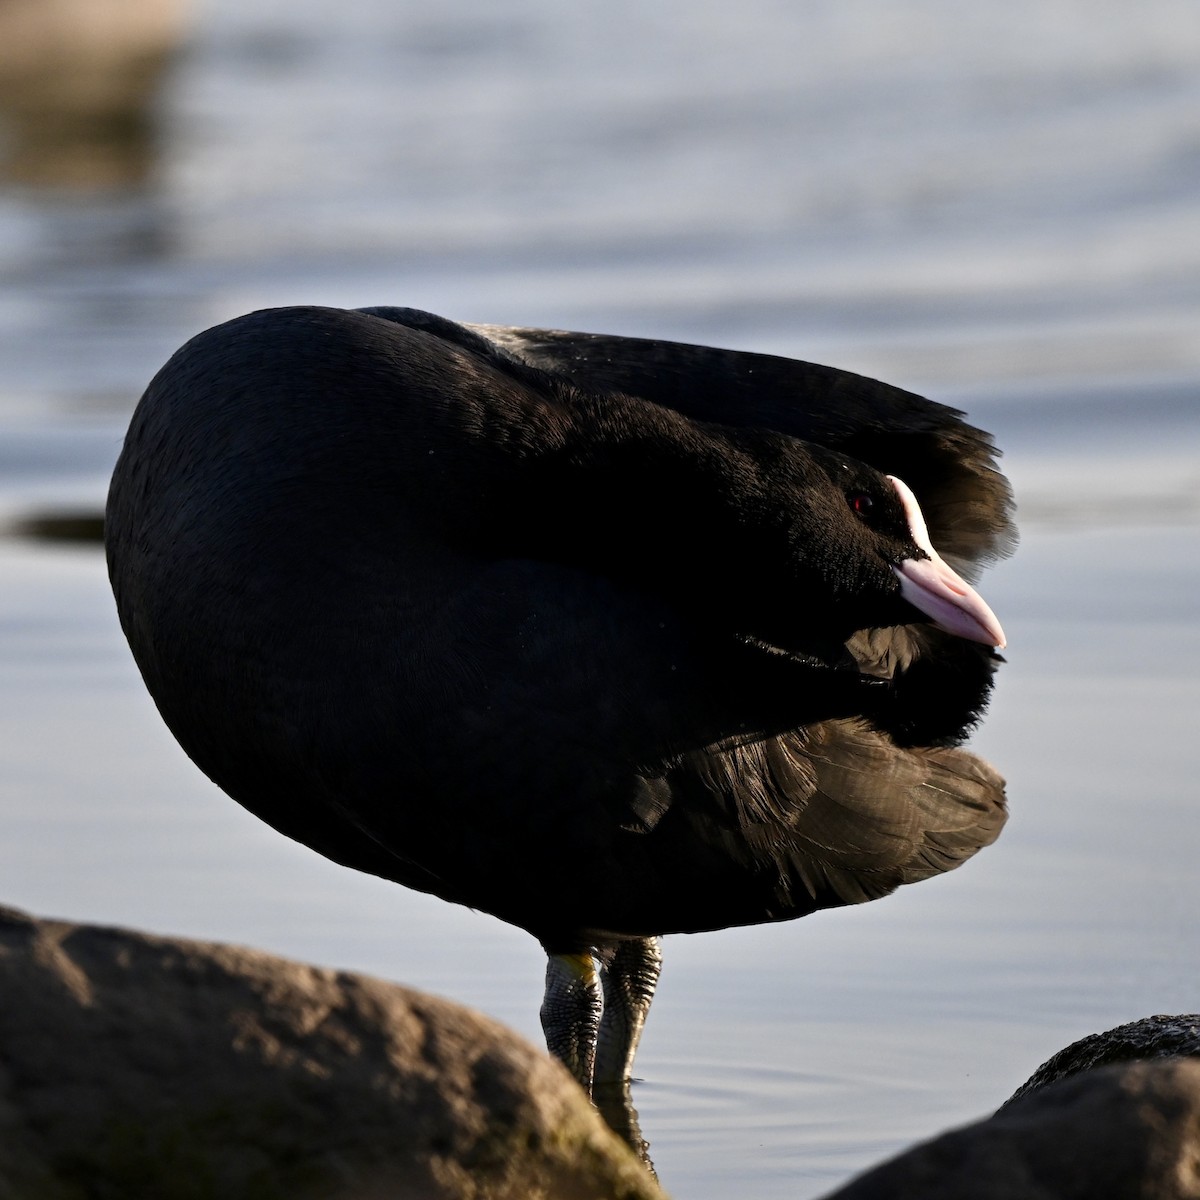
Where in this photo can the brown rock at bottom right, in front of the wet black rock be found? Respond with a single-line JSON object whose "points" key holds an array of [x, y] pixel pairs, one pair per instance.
{"points": [[1129, 1131]]}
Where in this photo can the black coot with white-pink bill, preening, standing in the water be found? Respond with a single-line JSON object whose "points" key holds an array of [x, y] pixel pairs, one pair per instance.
{"points": [[605, 637]]}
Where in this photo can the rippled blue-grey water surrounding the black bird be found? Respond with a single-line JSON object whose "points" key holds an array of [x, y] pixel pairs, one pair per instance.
{"points": [[995, 205]]}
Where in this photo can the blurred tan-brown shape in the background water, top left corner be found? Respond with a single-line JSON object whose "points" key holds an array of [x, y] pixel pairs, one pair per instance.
{"points": [[79, 83]]}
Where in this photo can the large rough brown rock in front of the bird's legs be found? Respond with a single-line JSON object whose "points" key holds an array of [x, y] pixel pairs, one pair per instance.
{"points": [[136, 1067]]}
